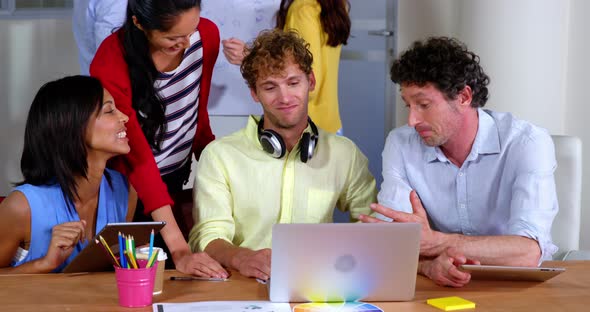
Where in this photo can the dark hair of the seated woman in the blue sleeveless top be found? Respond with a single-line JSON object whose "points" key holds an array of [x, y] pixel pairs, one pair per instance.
{"points": [[55, 149]]}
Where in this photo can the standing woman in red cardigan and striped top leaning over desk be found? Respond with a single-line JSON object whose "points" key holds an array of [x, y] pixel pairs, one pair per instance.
{"points": [[158, 68]]}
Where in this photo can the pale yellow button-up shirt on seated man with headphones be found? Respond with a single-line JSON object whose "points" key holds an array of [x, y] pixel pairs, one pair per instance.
{"points": [[241, 190]]}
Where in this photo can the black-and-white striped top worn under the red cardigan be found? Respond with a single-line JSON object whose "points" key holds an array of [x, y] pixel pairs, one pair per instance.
{"points": [[179, 91]]}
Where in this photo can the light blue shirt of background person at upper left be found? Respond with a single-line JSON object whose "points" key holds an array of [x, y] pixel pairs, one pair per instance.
{"points": [[92, 22]]}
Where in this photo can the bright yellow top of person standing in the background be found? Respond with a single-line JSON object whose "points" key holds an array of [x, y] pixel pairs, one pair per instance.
{"points": [[304, 18]]}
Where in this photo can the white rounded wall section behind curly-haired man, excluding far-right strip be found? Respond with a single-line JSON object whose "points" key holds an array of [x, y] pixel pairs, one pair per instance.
{"points": [[522, 45]]}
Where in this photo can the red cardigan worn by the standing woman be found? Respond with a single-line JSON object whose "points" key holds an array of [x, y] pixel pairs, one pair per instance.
{"points": [[139, 165]]}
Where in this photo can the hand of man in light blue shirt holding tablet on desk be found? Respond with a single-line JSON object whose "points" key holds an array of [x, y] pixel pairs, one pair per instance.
{"points": [[444, 269]]}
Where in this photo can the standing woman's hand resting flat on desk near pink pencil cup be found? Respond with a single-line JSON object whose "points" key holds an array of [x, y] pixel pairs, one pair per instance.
{"points": [[200, 264]]}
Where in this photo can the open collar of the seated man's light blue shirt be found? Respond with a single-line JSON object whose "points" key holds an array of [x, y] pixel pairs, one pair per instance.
{"points": [[487, 140]]}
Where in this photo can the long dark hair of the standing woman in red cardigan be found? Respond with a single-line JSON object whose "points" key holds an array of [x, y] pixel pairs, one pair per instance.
{"points": [[151, 15]]}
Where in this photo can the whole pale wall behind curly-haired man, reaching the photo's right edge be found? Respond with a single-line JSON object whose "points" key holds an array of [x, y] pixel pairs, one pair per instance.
{"points": [[535, 51]]}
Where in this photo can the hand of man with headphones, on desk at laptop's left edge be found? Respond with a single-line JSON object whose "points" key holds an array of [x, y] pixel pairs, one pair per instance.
{"points": [[253, 263]]}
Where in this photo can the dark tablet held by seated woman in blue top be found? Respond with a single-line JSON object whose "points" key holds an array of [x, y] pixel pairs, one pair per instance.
{"points": [[93, 259]]}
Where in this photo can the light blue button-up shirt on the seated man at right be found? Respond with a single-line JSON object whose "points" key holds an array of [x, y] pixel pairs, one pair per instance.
{"points": [[504, 187]]}
